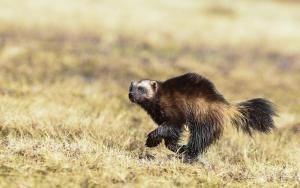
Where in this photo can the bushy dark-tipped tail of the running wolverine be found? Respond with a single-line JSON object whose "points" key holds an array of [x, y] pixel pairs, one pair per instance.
{"points": [[254, 115]]}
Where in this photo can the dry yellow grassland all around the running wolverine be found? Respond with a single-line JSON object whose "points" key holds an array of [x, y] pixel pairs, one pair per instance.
{"points": [[65, 67]]}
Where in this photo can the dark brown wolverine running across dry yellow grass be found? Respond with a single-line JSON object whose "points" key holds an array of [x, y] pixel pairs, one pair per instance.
{"points": [[194, 101]]}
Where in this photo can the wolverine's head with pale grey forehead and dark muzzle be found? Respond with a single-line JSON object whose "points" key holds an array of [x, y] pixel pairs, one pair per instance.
{"points": [[142, 91]]}
